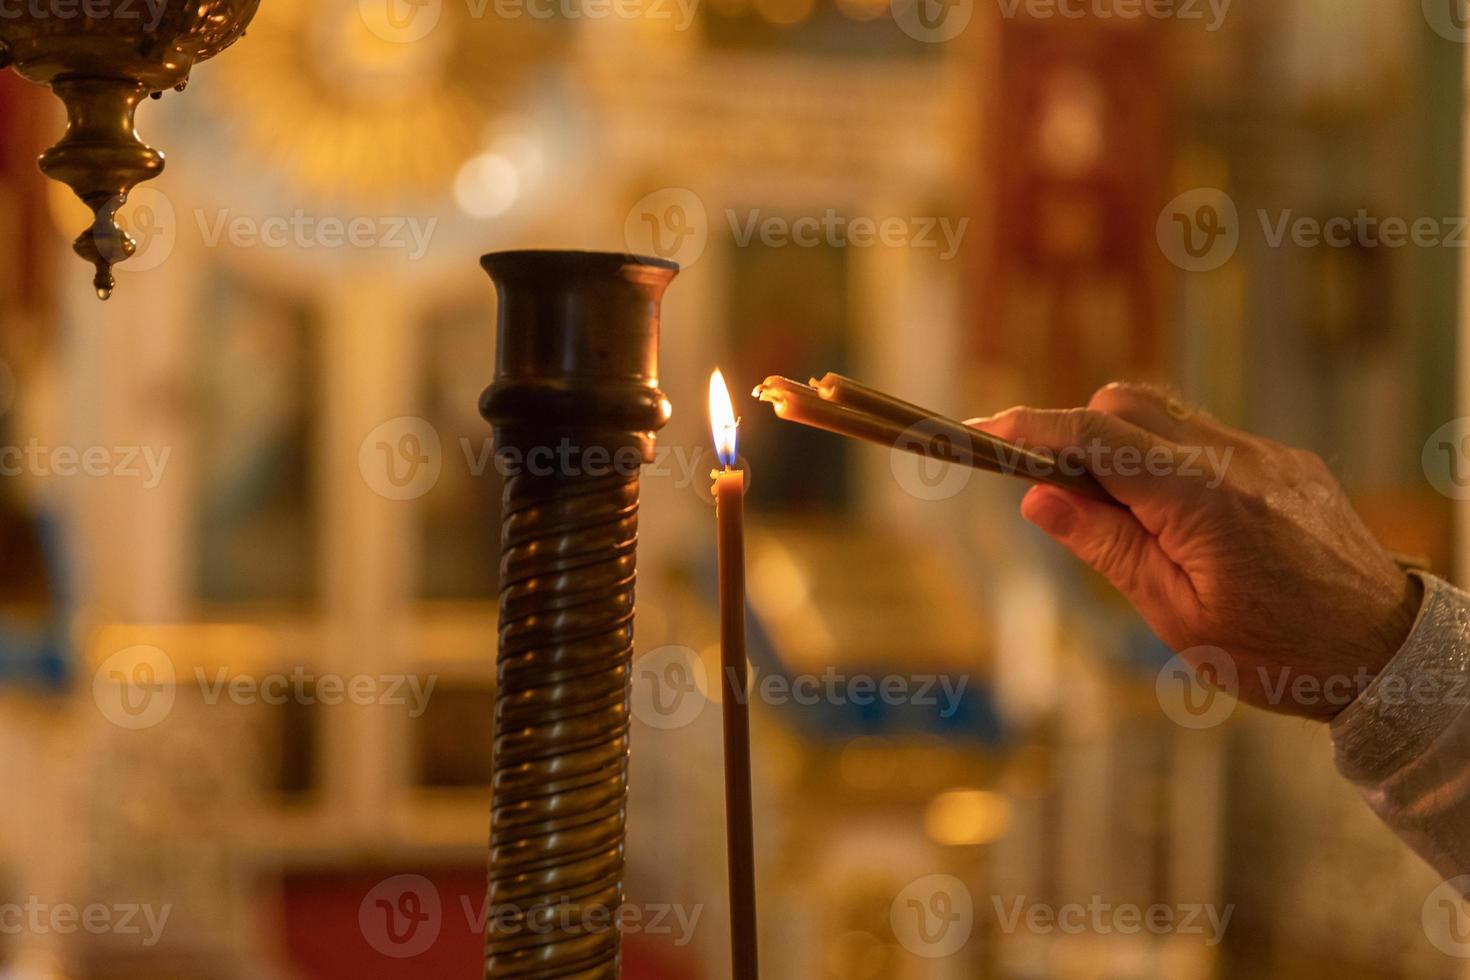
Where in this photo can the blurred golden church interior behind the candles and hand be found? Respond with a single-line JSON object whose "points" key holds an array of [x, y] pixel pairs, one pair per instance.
{"points": [[267, 372]]}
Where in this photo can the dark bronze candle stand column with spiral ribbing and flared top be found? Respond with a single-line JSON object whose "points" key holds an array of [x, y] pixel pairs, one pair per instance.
{"points": [[576, 405]]}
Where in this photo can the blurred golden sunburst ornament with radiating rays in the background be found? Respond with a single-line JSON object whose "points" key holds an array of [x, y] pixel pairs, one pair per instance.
{"points": [[358, 108]]}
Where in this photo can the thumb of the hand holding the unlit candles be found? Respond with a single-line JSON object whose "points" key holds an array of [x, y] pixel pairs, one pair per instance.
{"points": [[1116, 544]]}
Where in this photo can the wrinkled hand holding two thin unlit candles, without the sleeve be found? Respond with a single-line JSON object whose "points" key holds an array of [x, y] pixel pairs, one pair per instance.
{"points": [[1227, 541]]}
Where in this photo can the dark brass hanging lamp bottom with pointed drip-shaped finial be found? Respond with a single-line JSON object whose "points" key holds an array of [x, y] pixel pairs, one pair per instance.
{"points": [[101, 60]]}
